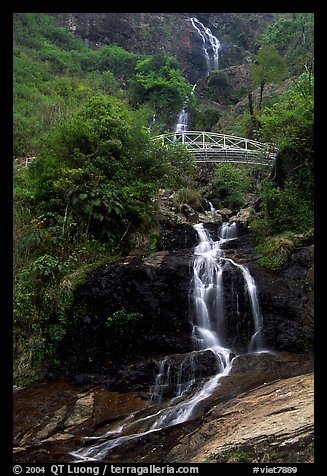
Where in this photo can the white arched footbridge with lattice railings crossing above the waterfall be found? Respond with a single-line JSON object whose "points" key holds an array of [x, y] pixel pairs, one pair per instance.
{"points": [[215, 147]]}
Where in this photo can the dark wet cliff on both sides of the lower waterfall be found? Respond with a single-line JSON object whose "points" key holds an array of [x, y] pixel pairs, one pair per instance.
{"points": [[157, 288]]}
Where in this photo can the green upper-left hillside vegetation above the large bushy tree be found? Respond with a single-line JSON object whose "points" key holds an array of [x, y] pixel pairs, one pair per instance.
{"points": [[55, 73]]}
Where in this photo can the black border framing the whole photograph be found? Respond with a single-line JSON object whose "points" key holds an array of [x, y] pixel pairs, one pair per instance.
{"points": [[6, 199]]}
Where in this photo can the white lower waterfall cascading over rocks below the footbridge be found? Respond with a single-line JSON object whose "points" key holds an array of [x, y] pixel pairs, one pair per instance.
{"points": [[181, 384]]}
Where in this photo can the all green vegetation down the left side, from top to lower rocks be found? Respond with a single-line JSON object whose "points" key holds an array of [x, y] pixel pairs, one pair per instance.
{"points": [[97, 172]]}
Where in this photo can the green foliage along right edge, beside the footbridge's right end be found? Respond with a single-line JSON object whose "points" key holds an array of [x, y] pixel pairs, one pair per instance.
{"points": [[288, 197]]}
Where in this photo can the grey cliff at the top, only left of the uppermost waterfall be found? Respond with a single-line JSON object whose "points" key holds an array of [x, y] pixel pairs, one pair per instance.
{"points": [[144, 33]]}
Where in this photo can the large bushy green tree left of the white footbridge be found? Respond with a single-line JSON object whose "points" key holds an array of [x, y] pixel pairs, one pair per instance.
{"points": [[101, 170]]}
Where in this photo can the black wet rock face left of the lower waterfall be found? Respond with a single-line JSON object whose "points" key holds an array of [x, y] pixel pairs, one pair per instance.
{"points": [[156, 289]]}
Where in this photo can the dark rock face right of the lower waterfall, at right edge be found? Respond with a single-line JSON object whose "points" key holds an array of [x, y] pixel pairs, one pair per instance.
{"points": [[286, 300]]}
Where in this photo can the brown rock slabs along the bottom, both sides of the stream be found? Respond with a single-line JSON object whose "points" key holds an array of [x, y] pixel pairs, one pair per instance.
{"points": [[261, 413]]}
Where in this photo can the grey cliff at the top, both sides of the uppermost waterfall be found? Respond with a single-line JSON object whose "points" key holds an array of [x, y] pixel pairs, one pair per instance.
{"points": [[171, 33]]}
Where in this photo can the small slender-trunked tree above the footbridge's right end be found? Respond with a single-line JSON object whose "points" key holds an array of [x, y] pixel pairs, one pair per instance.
{"points": [[269, 67]]}
